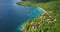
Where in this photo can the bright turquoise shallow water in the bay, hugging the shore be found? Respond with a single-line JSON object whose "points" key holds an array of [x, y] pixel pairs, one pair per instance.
{"points": [[33, 12]]}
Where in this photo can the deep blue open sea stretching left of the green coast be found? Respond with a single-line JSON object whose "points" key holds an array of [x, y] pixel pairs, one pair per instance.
{"points": [[12, 15]]}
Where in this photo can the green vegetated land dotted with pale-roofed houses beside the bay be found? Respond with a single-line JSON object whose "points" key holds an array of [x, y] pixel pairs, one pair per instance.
{"points": [[42, 24]]}
